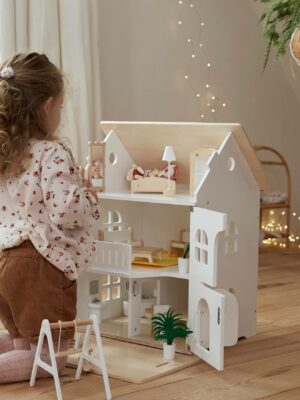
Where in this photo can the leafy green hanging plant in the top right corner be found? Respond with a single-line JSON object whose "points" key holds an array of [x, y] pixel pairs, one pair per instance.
{"points": [[280, 19]]}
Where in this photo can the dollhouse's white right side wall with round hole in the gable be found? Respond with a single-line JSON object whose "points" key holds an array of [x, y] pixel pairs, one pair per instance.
{"points": [[231, 179]]}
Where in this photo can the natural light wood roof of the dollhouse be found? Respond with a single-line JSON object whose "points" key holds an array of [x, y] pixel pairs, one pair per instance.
{"points": [[146, 141]]}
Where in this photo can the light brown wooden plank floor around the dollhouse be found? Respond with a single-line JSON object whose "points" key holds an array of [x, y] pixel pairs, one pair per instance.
{"points": [[266, 366]]}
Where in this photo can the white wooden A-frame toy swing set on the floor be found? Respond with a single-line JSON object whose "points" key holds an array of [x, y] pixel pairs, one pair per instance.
{"points": [[84, 355]]}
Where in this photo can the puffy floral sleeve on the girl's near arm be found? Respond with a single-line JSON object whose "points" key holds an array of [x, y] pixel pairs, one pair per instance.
{"points": [[69, 203]]}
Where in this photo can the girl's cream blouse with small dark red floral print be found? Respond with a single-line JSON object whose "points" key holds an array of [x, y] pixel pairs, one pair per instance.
{"points": [[49, 204]]}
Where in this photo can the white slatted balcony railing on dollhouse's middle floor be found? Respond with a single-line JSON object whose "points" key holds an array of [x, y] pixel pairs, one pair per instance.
{"points": [[113, 258]]}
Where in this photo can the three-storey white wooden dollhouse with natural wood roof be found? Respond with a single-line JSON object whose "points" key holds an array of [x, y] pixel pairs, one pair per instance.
{"points": [[215, 208]]}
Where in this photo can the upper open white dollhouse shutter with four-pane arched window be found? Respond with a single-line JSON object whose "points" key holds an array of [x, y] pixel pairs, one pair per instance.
{"points": [[205, 227]]}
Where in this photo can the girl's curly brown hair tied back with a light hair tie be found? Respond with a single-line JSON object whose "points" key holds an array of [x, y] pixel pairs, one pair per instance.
{"points": [[22, 94]]}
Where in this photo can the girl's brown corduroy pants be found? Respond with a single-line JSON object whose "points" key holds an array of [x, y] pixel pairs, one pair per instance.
{"points": [[32, 289]]}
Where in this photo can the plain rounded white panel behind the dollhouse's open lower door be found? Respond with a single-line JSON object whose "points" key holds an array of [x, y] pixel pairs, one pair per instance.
{"points": [[231, 318]]}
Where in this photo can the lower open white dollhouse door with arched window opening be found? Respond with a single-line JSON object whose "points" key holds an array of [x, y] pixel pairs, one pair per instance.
{"points": [[207, 340]]}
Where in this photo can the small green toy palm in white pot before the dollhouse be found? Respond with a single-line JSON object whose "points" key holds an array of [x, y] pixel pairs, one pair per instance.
{"points": [[167, 327]]}
